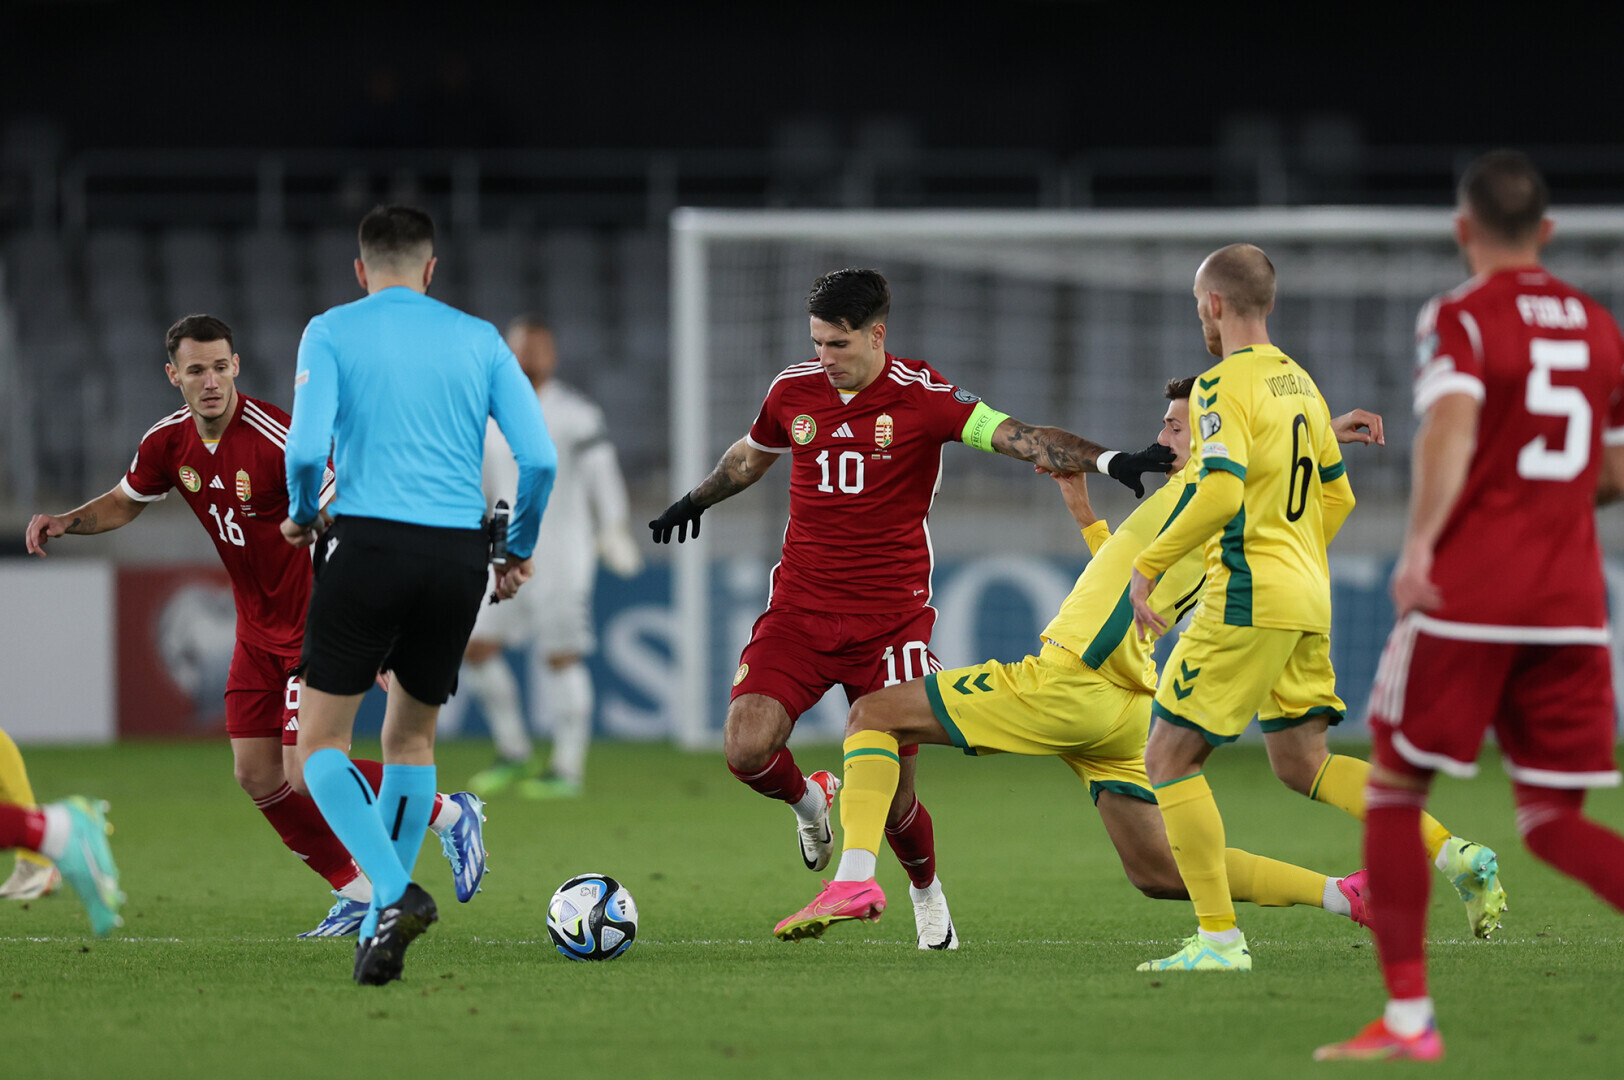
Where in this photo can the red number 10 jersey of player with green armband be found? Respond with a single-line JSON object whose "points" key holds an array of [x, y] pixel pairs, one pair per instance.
{"points": [[862, 483]]}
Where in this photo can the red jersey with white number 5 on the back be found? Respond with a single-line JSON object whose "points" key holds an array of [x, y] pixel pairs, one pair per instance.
{"points": [[1547, 363]]}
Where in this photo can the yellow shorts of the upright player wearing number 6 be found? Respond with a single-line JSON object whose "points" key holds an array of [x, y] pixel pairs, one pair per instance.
{"points": [[1220, 676]]}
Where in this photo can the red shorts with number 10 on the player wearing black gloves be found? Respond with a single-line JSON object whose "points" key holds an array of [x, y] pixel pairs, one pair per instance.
{"points": [[795, 657]]}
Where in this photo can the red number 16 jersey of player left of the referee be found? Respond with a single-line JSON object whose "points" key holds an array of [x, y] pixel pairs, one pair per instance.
{"points": [[240, 493]]}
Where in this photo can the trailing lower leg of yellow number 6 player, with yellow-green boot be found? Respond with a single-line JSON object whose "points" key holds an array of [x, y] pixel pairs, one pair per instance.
{"points": [[1471, 868]]}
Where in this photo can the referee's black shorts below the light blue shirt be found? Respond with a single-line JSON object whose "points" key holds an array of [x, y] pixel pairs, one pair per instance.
{"points": [[394, 597]]}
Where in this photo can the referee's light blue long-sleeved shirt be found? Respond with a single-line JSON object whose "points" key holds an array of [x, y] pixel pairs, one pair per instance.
{"points": [[400, 387]]}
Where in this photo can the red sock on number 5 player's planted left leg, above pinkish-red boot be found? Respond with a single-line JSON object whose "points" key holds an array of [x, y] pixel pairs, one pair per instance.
{"points": [[1401, 878]]}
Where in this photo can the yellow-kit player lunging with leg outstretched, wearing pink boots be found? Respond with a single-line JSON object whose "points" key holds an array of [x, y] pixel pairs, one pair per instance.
{"points": [[1084, 699]]}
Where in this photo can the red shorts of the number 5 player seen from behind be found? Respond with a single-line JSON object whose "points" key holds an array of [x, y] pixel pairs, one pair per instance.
{"points": [[1552, 707]]}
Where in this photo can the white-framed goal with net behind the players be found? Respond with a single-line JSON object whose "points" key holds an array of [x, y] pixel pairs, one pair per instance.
{"points": [[1068, 319]]}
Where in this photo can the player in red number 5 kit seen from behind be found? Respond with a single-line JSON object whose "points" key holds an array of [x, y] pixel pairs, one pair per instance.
{"points": [[1500, 590]]}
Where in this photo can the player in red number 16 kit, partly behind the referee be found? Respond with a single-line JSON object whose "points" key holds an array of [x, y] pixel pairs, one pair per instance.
{"points": [[223, 451]]}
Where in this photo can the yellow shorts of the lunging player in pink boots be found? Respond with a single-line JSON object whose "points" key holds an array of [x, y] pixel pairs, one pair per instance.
{"points": [[1050, 706]]}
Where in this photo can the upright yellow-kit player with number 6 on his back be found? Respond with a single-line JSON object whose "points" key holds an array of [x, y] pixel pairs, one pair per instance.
{"points": [[1272, 495]]}
